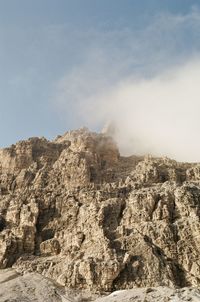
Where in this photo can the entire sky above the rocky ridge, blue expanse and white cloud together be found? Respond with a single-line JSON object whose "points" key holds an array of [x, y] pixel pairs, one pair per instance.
{"points": [[71, 63]]}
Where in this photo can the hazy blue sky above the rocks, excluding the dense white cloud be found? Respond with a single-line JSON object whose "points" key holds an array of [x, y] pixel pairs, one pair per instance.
{"points": [[54, 55]]}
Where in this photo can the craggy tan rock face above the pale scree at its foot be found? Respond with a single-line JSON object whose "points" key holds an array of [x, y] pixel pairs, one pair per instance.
{"points": [[76, 211]]}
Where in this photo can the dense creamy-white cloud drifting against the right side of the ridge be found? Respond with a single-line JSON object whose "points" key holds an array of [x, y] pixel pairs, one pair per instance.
{"points": [[159, 116]]}
